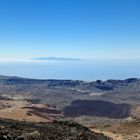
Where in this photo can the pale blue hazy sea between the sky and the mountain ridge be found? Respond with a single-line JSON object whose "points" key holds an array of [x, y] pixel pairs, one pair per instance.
{"points": [[75, 70]]}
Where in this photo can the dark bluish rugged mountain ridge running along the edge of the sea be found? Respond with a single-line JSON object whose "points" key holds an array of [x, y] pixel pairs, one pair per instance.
{"points": [[132, 84]]}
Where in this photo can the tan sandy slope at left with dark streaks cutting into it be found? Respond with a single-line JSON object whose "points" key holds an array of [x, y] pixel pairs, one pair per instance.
{"points": [[14, 109]]}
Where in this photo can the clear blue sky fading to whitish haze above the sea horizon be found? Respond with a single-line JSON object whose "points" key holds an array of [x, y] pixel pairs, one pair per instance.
{"points": [[87, 29]]}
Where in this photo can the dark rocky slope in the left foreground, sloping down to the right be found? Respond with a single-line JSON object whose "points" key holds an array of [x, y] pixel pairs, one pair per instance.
{"points": [[14, 130]]}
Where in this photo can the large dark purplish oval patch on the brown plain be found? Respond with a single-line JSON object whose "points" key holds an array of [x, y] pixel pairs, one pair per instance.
{"points": [[97, 108]]}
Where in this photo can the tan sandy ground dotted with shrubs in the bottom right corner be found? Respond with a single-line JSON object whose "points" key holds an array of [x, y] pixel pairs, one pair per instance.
{"points": [[129, 130]]}
